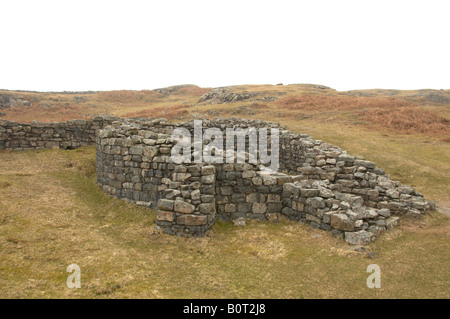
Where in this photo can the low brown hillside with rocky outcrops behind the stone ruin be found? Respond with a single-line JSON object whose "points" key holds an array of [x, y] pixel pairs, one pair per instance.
{"points": [[403, 111]]}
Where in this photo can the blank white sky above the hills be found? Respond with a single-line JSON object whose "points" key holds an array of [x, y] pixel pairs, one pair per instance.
{"points": [[108, 45]]}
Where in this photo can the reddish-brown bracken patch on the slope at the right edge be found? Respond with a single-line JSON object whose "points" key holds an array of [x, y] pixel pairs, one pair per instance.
{"points": [[408, 120]]}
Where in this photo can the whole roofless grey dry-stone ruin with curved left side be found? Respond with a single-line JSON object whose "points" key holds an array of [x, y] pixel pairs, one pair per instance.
{"points": [[317, 183]]}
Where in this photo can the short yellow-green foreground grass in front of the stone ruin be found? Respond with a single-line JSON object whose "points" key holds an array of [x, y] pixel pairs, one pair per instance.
{"points": [[53, 214]]}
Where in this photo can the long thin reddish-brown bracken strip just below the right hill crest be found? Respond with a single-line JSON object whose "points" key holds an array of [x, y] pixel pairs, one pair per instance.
{"points": [[309, 102]]}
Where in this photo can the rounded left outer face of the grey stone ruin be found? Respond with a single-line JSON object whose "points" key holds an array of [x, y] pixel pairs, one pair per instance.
{"points": [[133, 163]]}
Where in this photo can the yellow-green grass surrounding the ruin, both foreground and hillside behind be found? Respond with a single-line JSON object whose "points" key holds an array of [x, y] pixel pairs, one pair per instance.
{"points": [[53, 214]]}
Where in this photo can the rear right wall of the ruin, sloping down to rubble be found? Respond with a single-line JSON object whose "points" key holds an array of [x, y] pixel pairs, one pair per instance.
{"points": [[317, 160]]}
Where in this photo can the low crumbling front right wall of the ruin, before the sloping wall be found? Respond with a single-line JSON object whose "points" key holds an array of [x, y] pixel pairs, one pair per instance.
{"points": [[345, 215]]}
